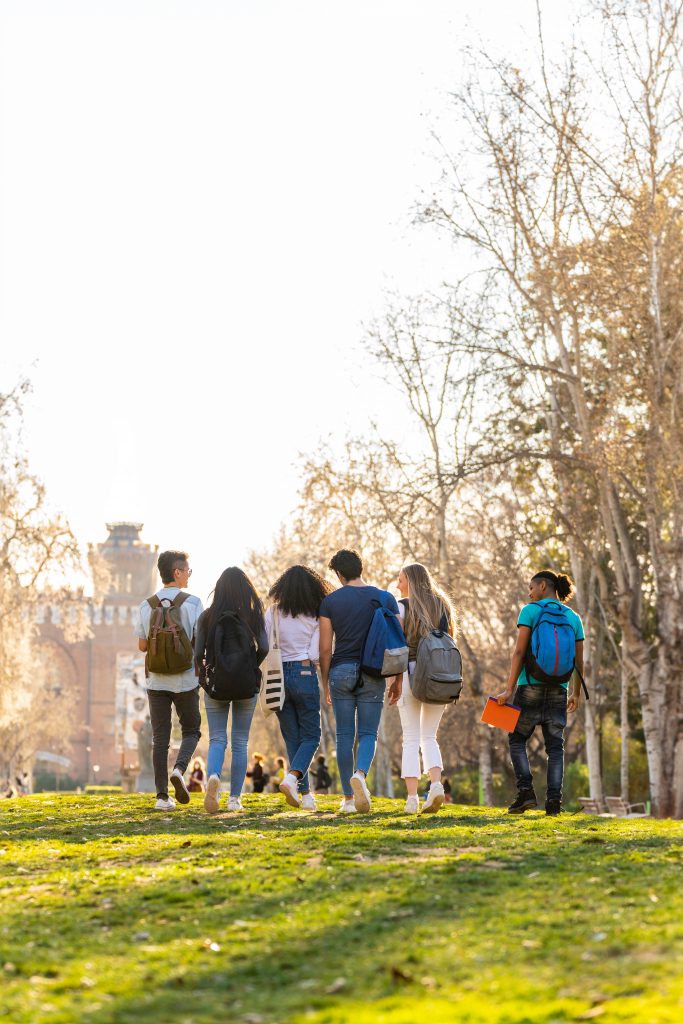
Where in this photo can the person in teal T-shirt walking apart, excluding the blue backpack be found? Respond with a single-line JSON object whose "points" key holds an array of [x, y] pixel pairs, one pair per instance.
{"points": [[543, 704]]}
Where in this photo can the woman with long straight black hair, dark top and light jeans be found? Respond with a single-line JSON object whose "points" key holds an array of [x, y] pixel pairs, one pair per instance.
{"points": [[236, 602]]}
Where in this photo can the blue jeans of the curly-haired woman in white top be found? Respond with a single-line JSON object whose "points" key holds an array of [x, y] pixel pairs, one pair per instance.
{"points": [[301, 718]]}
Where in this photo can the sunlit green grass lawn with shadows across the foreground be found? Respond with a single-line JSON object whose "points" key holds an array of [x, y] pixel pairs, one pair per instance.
{"points": [[111, 913]]}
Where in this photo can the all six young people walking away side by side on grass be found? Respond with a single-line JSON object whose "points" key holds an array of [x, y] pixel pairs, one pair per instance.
{"points": [[321, 630]]}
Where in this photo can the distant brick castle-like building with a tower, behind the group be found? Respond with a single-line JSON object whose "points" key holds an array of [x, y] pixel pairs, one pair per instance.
{"points": [[106, 671]]}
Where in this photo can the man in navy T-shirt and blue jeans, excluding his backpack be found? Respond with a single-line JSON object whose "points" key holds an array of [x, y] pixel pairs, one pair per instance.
{"points": [[347, 615]]}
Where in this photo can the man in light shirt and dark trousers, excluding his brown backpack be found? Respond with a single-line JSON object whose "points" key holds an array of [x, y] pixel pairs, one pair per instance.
{"points": [[180, 691]]}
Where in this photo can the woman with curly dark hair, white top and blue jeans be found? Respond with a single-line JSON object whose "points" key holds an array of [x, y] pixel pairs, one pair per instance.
{"points": [[296, 596]]}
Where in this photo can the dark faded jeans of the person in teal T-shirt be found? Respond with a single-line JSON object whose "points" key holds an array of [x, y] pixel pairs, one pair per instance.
{"points": [[545, 706]]}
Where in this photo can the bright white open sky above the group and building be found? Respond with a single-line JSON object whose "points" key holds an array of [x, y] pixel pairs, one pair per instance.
{"points": [[202, 204]]}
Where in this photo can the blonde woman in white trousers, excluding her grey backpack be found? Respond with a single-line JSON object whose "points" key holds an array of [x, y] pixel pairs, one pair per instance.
{"points": [[425, 608]]}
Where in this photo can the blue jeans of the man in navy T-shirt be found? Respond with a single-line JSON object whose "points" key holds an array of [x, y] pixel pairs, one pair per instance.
{"points": [[361, 710]]}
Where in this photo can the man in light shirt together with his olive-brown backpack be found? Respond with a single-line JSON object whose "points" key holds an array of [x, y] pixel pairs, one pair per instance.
{"points": [[166, 632]]}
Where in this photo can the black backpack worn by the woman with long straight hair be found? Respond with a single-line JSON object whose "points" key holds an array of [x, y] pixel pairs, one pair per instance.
{"points": [[232, 669]]}
